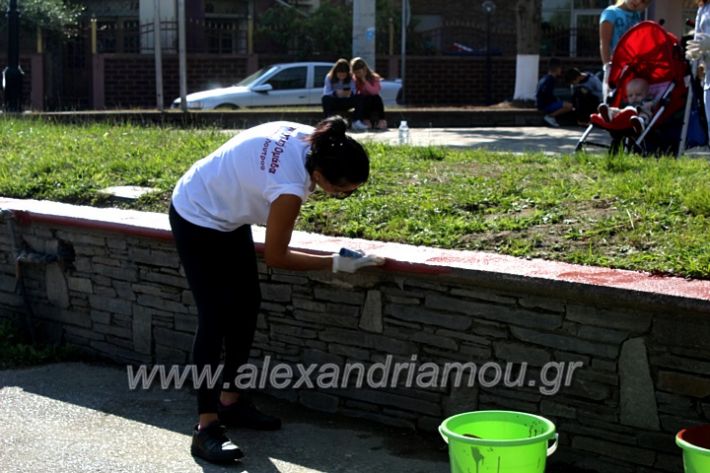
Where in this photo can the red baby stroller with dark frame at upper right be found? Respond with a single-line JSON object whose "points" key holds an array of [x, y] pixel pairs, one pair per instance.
{"points": [[650, 52]]}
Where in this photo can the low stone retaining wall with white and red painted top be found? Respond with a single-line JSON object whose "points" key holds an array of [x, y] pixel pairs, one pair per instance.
{"points": [[640, 343]]}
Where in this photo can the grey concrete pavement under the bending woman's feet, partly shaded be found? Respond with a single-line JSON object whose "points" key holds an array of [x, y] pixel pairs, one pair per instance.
{"points": [[79, 417]]}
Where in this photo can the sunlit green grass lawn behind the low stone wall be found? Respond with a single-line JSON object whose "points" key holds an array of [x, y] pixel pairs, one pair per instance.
{"points": [[623, 212]]}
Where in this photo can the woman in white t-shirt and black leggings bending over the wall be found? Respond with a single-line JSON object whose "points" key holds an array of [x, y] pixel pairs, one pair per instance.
{"points": [[261, 176]]}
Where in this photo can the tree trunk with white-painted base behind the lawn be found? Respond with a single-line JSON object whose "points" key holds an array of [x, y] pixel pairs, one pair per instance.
{"points": [[528, 14]]}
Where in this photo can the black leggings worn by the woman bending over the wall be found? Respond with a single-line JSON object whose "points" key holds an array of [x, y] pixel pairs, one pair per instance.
{"points": [[222, 273]]}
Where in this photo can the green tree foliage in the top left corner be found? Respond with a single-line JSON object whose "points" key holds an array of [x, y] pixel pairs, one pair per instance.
{"points": [[50, 15]]}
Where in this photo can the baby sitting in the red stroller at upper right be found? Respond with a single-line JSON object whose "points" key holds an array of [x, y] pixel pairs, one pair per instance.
{"points": [[636, 111]]}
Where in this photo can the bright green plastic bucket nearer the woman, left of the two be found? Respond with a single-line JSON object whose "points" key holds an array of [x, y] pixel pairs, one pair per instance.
{"points": [[498, 442]]}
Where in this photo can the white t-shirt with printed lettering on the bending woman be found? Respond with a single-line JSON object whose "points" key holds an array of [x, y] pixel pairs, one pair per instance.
{"points": [[236, 184]]}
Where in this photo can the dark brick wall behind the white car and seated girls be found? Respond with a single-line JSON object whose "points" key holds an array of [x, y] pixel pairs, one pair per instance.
{"points": [[430, 80]]}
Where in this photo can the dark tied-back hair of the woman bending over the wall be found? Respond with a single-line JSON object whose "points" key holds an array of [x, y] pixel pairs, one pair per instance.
{"points": [[340, 159]]}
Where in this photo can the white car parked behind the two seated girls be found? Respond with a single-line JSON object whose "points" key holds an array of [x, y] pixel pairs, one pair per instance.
{"points": [[297, 83]]}
